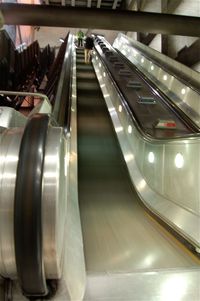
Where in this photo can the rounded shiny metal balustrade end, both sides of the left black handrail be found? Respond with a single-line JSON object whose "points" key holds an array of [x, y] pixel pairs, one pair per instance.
{"points": [[53, 203]]}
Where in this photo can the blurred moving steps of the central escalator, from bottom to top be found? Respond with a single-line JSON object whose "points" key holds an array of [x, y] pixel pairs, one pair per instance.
{"points": [[119, 235]]}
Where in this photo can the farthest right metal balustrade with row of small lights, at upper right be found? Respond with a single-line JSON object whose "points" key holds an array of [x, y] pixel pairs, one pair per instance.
{"points": [[178, 91]]}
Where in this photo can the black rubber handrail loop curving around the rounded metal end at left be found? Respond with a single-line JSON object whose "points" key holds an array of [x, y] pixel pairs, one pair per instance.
{"points": [[28, 208]]}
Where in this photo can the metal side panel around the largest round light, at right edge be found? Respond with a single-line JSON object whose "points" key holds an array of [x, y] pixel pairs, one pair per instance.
{"points": [[181, 184]]}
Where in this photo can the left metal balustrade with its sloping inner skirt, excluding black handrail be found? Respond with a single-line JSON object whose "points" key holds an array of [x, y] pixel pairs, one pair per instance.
{"points": [[62, 237]]}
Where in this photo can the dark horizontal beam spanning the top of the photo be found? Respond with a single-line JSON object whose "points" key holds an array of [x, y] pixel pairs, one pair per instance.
{"points": [[42, 15]]}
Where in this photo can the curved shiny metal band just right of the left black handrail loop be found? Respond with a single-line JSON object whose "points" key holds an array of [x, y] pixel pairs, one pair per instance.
{"points": [[54, 202]]}
